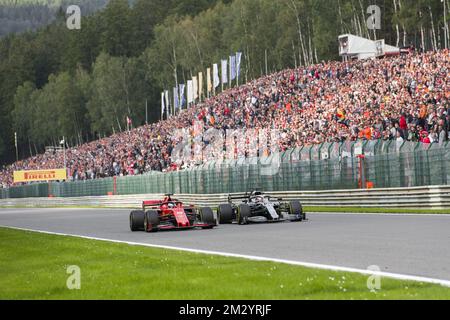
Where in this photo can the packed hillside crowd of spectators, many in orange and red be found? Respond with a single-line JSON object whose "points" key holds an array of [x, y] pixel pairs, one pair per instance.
{"points": [[402, 98]]}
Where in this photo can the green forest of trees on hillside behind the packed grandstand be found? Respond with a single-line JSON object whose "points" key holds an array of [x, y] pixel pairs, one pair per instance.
{"points": [[82, 84]]}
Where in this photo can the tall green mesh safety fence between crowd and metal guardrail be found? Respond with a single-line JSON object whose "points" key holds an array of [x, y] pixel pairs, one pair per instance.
{"points": [[329, 166]]}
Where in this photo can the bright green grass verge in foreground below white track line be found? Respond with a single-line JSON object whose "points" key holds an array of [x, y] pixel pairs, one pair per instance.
{"points": [[33, 266]]}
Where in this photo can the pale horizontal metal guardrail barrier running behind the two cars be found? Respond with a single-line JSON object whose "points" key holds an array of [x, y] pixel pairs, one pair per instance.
{"points": [[436, 197]]}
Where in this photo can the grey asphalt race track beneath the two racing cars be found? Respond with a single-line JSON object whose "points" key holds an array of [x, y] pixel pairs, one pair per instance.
{"points": [[409, 244]]}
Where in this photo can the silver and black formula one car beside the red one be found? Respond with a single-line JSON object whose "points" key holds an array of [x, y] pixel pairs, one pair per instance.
{"points": [[256, 207]]}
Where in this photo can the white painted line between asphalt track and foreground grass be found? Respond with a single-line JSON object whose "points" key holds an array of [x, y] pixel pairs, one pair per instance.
{"points": [[445, 283]]}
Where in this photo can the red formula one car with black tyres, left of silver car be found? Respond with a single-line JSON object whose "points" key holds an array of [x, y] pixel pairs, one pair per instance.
{"points": [[170, 214]]}
